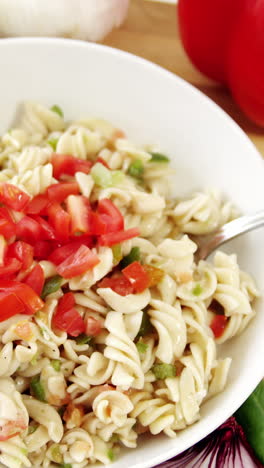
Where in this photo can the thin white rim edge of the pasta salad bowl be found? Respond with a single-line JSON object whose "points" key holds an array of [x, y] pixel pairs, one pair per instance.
{"points": [[254, 153]]}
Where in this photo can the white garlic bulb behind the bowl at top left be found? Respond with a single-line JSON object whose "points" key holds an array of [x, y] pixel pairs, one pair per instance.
{"points": [[79, 19]]}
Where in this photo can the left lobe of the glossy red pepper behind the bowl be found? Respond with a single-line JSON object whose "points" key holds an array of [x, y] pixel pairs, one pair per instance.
{"points": [[206, 27]]}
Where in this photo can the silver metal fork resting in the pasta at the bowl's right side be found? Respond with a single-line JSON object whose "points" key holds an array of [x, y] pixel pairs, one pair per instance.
{"points": [[208, 243]]}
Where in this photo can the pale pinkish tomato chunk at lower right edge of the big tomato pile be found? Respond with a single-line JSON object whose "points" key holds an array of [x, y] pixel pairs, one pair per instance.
{"points": [[79, 262]]}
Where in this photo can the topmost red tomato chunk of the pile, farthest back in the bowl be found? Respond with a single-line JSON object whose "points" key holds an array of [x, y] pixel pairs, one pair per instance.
{"points": [[68, 164]]}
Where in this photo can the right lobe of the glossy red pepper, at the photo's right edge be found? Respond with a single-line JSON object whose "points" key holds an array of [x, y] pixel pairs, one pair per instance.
{"points": [[246, 61]]}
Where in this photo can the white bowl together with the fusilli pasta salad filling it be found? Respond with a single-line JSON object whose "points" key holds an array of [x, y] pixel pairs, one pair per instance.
{"points": [[112, 336]]}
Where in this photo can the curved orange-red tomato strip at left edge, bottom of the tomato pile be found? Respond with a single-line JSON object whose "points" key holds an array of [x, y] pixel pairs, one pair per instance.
{"points": [[25, 293]]}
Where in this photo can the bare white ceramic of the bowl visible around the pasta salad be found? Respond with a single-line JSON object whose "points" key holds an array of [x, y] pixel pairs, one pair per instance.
{"points": [[207, 148]]}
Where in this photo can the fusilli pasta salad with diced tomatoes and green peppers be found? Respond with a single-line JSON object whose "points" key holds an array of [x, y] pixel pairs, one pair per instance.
{"points": [[108, 327]]}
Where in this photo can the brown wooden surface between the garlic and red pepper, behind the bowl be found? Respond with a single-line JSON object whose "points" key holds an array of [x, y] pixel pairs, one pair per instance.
{"points": [[151, 31]]}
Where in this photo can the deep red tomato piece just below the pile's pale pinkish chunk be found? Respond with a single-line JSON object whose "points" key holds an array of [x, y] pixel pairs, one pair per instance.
{"points": [[67, 318]]}
